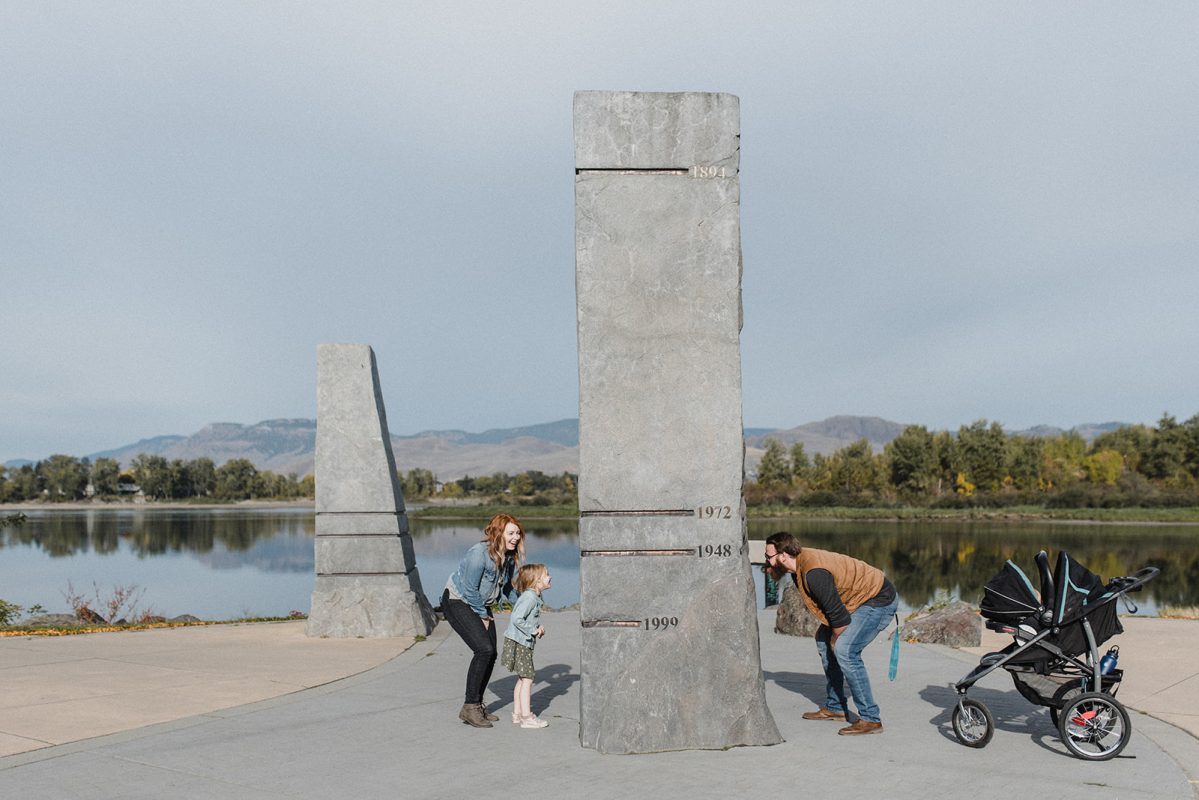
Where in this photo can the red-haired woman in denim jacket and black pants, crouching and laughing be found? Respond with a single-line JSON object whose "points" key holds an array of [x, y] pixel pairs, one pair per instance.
{"points": [[483, 576]]}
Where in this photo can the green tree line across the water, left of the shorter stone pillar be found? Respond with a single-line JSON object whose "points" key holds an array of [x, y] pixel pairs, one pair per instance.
{"points": [[67, 478]]}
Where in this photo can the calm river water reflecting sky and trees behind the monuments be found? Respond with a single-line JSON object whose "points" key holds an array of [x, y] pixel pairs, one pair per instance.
{"points": [[230, 563]]}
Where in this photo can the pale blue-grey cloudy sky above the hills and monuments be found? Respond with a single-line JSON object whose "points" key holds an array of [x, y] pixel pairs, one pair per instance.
{"points": [[950, 210]]}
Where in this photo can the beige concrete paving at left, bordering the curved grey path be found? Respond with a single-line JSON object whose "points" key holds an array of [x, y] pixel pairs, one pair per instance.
{"points": [[56, 690]]}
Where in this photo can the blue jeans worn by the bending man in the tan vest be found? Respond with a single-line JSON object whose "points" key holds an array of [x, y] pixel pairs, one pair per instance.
{"points": [[847, 666]]}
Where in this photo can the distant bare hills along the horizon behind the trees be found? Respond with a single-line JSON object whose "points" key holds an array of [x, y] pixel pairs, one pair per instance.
{"points": [[287, 447]]}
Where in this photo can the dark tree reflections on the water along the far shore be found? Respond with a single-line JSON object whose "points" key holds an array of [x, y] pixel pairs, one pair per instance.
{"points": [[921, 558]]}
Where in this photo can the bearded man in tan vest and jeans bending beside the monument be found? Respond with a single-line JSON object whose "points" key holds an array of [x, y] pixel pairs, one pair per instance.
{"points": [[854, 603]]}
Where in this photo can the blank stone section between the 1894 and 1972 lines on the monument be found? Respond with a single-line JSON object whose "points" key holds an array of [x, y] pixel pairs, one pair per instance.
{"points": [[660, 320]]}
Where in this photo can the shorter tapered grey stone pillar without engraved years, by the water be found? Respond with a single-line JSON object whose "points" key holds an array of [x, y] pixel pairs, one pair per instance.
{"points": [[367, 585]]}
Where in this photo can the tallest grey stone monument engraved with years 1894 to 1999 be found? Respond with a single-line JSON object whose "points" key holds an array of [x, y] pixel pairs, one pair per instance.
{"points": [[671, 653]]}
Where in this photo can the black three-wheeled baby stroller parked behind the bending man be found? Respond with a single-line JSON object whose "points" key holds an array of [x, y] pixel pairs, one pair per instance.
{"points": [[1055, 657]]}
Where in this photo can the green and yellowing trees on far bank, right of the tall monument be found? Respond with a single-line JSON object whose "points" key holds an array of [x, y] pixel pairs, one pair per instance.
{"points": [[984, 466]]}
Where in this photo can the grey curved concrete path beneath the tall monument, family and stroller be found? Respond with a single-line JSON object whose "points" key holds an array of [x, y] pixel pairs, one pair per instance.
{"points": [[393, 732]]}
